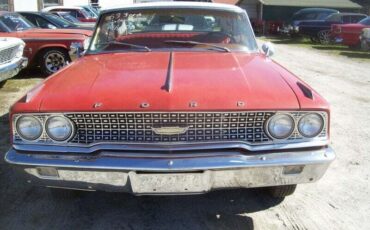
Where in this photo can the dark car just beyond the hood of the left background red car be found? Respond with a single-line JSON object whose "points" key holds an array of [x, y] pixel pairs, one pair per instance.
{"points": [[51, 21]]}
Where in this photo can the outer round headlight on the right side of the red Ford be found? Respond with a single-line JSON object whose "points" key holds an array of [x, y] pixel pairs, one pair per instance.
{"points": [[310, 125]]}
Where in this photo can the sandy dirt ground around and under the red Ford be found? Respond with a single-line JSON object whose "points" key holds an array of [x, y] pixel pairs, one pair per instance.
{"points": [[340, 200]]}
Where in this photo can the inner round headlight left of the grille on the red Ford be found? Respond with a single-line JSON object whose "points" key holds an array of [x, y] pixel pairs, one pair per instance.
{"points": [[59, 128]]}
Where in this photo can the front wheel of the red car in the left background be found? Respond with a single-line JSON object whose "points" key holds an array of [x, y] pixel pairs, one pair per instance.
{"points": [[52, 60]]}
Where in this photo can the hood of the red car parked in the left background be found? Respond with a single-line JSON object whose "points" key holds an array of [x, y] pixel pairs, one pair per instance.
{"points": [[37, 33]]}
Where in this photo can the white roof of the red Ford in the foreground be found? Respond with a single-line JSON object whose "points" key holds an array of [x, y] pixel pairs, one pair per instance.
{"points": [[165, 5]]}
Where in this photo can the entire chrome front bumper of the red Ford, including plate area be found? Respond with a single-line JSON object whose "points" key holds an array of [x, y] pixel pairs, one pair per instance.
{"points": [[173, 173]]}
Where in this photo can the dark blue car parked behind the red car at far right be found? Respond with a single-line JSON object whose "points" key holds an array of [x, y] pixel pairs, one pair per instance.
{"points": [[320, 30]]}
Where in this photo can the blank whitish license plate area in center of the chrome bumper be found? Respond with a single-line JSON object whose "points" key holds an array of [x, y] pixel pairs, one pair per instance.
{"points": [[167, 183]]}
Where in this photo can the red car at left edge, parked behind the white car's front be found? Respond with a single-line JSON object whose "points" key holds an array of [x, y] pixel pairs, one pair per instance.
{"points": [[47, 48]]}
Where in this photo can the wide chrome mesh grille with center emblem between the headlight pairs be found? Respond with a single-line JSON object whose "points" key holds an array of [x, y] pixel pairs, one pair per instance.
{"points": [[201, 127]]}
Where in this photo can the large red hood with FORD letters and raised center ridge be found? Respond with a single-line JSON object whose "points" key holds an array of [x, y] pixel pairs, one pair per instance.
{"points": [[165, 81]]}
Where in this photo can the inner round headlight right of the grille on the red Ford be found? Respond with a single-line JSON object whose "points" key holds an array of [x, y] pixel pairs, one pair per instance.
{"points": [[280, 126]]}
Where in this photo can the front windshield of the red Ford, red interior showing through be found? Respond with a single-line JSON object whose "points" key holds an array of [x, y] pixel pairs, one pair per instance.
{"points": [[165, 29]]}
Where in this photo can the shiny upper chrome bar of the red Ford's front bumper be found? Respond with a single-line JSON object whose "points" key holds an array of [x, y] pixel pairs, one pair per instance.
{"points": [[229, 160]]}
